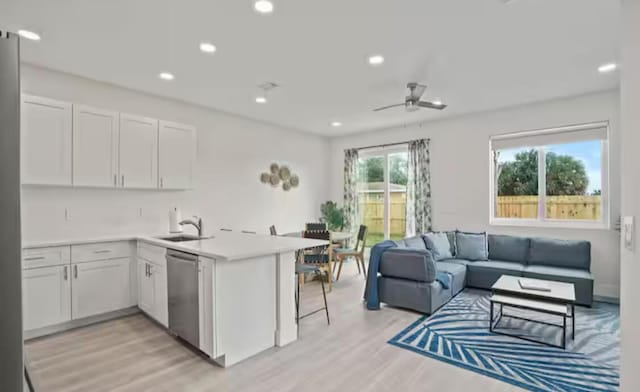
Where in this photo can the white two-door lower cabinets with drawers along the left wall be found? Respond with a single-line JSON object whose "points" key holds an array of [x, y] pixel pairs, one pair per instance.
{"points": [[66, 283]]}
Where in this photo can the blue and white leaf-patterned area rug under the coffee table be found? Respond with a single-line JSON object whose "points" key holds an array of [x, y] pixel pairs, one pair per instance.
{"points": [[459, 335]]}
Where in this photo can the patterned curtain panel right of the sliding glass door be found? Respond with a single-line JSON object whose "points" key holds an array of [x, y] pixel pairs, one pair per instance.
{"points": [[418, 188]]}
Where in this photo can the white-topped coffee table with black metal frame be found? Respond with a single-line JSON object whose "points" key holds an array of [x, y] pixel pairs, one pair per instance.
{"points": [[559, 300]]}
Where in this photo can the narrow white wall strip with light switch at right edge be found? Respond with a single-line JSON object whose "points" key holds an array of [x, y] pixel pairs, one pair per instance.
{"points": [[630, 191]]}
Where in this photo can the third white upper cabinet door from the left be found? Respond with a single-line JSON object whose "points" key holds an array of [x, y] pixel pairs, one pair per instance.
{"points": [[138, 152]]}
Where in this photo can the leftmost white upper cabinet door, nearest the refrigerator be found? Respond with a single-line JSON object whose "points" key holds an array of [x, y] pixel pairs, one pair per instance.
{"points": [[46, 130]]}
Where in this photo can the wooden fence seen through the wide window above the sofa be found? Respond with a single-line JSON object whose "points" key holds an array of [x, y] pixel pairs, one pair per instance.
{"points": [[558, 207]]}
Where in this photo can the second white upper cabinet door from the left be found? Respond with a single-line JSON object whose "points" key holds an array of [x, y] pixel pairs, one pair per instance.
{"points": [[95, 147]]}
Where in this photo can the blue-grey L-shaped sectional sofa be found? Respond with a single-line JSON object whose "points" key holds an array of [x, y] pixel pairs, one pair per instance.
{"points": [[407, 272]]}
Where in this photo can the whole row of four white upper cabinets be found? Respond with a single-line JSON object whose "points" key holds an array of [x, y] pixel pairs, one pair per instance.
{"points": [[78, 145]]}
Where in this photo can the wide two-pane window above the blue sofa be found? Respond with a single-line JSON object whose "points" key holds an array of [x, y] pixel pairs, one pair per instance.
{"points": [[555, 177]]}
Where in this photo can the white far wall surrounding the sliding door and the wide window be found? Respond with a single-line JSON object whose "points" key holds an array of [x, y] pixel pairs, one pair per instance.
{"points": [[460, 169]]}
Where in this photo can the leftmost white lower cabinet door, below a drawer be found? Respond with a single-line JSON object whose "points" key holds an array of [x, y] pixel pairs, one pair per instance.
{"points": [[46, 296]]}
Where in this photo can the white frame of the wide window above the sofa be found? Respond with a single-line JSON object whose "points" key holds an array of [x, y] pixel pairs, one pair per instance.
{"points": [[542, 220]]}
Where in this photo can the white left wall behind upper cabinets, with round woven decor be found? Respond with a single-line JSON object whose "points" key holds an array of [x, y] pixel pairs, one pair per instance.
{"points": [[232, 152]]}
